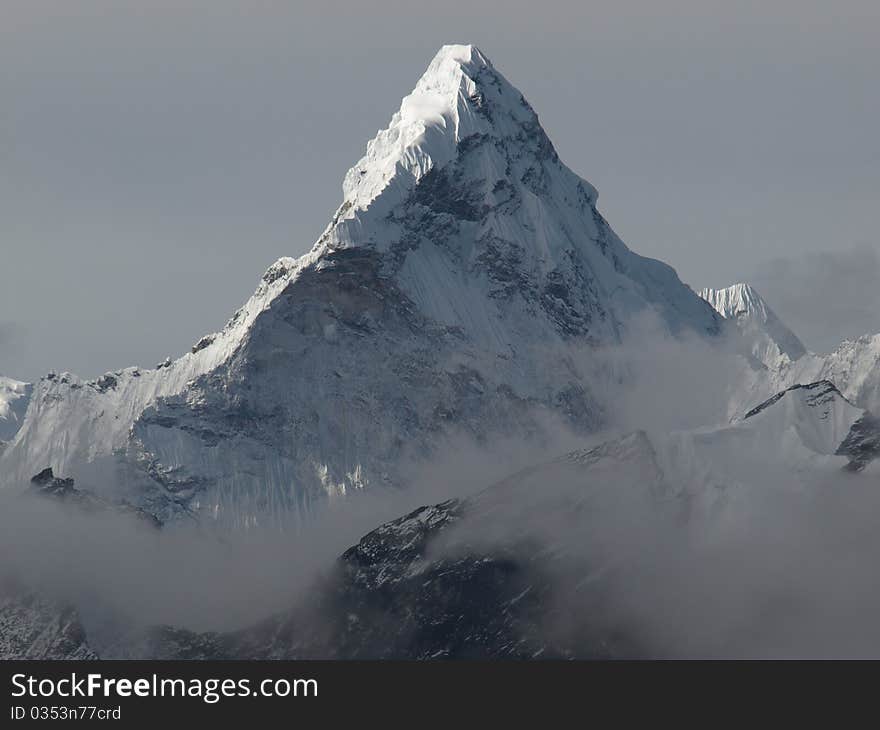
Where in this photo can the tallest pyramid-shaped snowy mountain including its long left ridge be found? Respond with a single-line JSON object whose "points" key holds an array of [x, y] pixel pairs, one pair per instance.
{"points": [[464, 267]]}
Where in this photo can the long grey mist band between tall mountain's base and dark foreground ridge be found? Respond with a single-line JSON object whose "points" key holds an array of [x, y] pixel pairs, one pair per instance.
{"points": [[117, 569]]}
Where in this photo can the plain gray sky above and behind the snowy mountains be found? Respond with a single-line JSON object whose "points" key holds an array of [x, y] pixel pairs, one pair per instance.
{"points": [[156, 157]]}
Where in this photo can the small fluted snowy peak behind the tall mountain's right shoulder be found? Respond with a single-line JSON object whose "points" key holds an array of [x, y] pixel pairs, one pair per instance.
{"points": [[768, 339]]}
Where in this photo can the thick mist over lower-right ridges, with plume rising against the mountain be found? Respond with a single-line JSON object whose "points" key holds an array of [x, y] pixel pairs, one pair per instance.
{"points": [[736, 555]]}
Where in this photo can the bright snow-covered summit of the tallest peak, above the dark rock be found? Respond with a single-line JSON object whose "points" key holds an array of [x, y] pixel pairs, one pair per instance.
{"points": [[462, 104]]}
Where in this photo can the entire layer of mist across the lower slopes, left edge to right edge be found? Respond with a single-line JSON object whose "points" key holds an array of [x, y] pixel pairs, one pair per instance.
{"points": [[683, 559]]}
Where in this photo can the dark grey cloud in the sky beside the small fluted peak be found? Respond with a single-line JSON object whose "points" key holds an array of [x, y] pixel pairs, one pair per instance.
{"points": [[824, 297]]}
